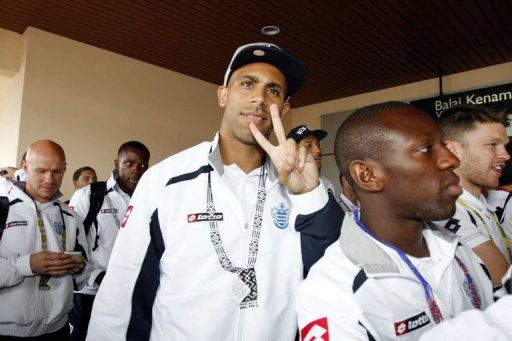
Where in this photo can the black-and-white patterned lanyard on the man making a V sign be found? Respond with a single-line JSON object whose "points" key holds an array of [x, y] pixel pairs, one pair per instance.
{"points": [[248, 274]]}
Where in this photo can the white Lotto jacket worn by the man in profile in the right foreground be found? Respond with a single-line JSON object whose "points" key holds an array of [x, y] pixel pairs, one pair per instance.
{"points": [[362, 287]]}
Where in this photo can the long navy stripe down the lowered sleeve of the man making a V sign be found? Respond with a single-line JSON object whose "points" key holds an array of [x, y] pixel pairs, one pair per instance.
{"points": [[147, 285]]}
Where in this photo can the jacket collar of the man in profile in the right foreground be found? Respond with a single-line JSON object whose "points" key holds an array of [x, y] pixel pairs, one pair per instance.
{"points": [[376, 258]]}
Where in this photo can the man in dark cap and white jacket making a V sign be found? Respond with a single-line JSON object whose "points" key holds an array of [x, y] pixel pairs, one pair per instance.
{"points": [[217, 238]]}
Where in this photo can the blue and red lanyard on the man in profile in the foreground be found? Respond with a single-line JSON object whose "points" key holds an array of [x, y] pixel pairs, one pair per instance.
{"points": [[432, 304]]}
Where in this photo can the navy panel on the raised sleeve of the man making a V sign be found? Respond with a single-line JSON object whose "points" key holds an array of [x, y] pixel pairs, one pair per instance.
{"points": [[319, 230]]}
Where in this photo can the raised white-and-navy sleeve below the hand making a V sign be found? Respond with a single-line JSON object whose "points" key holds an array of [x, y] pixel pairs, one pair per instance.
{"points": [[318, 218]]}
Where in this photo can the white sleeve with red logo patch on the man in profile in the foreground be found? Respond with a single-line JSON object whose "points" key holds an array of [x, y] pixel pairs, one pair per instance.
{"points": [[323, 316]]}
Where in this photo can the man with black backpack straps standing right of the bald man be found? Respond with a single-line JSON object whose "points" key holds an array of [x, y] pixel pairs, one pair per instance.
{"points": [[102, 226]]}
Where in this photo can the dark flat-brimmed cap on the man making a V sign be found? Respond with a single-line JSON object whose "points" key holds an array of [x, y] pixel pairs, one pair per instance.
{"points": [[293, 70]]}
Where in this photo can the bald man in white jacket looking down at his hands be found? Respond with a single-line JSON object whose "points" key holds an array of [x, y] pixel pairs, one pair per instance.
{"points": [[42, 251]]}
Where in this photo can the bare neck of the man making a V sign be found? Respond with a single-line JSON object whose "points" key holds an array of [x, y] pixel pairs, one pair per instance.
{"points": [[247, 157]]}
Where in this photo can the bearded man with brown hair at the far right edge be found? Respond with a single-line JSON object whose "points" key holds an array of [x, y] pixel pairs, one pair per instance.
{"points": [[477, 136]]}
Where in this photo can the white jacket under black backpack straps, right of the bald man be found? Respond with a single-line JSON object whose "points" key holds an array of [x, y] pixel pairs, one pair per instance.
{"points": [[107, 228]]}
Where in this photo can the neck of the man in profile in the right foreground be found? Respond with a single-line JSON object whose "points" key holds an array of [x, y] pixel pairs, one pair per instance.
{"points": [[404, 233]]}
